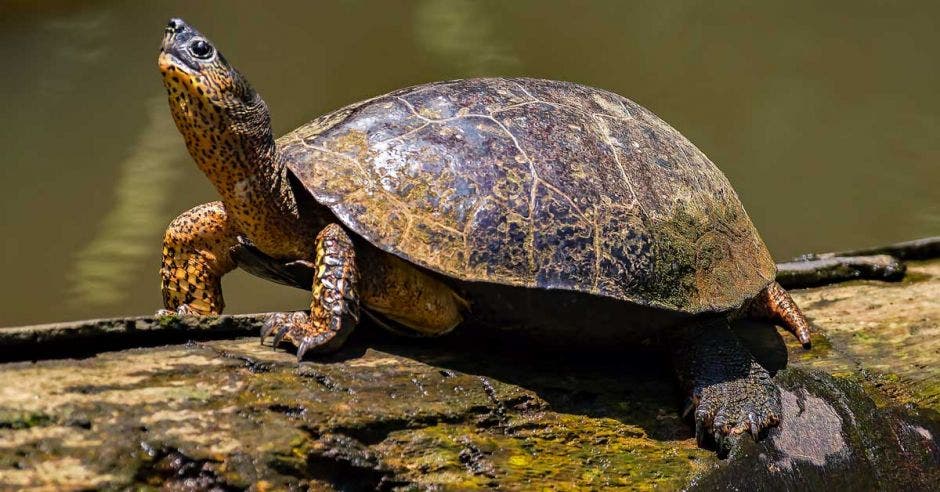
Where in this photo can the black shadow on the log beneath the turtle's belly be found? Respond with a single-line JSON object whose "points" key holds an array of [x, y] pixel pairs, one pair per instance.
{"points": [[634, 385]]}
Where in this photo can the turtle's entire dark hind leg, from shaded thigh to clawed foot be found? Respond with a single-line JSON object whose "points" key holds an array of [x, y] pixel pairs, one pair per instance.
{"points": [[731, 393]]}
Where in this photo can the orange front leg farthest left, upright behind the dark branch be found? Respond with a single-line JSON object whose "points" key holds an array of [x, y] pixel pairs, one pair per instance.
{"points": [[195, 257]]}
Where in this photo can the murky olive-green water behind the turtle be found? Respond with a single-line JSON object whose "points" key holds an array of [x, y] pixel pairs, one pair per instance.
{"points": [[824, 115]]}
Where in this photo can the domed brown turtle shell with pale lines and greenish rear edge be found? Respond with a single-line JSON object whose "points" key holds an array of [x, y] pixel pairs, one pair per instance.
{"points": [[535, 183]]}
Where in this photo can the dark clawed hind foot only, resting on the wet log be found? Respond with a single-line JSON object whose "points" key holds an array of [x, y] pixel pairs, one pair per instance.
{"points": [[728, 409]]}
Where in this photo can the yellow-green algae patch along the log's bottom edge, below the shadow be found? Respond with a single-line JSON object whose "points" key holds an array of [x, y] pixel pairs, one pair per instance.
{"points": [[548, 450]]}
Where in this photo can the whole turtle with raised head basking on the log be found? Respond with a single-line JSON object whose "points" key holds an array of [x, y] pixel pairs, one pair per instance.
{"points": [[543, 207]]}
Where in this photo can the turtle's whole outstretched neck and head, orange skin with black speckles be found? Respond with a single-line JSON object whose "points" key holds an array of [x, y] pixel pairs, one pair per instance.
{"points": [[227, 129]]}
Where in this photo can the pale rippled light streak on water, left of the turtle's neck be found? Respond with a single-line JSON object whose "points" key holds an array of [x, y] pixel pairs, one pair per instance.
{"points": [[131, 230]]}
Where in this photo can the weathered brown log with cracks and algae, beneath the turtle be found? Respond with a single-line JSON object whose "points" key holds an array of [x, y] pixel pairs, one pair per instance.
{"points": [[861, 411]]}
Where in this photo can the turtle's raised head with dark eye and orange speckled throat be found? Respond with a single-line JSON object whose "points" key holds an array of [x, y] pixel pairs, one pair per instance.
{"points": [[213, 105]]}
